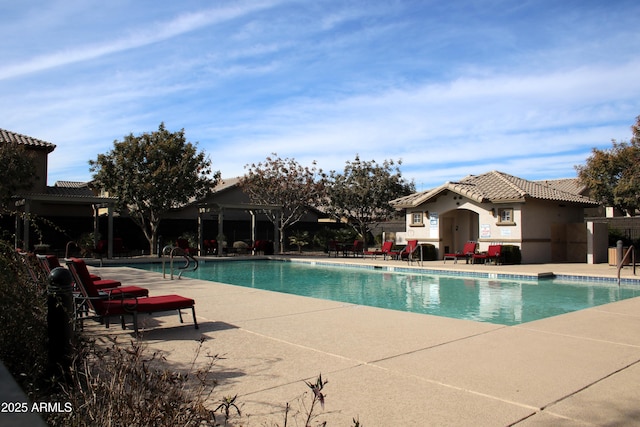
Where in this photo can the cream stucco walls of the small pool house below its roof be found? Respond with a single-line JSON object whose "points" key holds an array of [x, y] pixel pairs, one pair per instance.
{"points": [[451, 220]]}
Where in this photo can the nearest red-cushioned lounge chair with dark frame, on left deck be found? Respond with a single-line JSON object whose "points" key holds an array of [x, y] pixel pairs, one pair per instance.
{"points": [[105, 308]]}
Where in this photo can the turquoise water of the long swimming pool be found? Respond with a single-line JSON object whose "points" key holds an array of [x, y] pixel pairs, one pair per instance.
{"points": [[506, 302]]}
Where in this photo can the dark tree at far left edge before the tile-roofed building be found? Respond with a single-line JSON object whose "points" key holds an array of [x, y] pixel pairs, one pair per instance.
{"points": [[16, 172]]}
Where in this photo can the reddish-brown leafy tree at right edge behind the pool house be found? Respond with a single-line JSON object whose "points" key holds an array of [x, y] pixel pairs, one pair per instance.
{"points": [[613, 175]]}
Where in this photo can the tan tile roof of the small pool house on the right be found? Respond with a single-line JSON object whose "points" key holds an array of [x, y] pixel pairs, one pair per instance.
{"points": [[499, 187]]}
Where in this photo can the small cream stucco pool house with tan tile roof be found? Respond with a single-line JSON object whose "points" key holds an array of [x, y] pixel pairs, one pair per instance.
{"points": [[545, 219]]}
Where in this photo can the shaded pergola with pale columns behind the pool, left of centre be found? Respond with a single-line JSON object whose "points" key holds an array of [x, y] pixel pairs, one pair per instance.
{"points": [[220, 209]]}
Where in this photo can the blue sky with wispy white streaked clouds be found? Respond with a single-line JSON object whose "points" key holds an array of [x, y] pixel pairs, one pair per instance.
{"points": [[449, 87]]}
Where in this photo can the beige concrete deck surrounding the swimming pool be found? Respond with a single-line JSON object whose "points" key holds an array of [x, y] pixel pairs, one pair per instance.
{"points": [[390, 368]]}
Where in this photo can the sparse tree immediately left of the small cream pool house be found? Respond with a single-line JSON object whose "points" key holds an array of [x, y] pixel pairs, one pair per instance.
{"points": [[361, 194]]}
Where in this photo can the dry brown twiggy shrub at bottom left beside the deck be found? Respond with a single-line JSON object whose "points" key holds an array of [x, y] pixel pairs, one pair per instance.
{"points": [[129, 385]]}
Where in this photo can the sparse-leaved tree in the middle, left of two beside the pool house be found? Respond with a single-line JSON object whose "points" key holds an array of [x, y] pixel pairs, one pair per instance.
{"points": [[286, 183]]}
